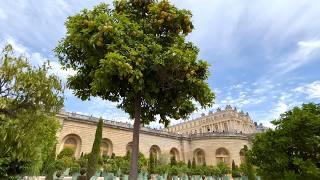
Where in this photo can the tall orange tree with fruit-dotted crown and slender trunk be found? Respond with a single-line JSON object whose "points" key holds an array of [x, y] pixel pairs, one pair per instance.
{"points": [[136, 54]]}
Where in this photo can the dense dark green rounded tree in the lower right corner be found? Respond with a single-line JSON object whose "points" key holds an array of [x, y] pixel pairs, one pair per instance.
{"points": [[292, 150]]}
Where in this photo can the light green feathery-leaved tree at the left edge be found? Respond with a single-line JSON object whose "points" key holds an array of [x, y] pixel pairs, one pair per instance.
{"points": [[29, 99]]}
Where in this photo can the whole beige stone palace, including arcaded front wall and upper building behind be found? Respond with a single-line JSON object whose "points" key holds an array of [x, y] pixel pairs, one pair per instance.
{"points": [[219, 136]]}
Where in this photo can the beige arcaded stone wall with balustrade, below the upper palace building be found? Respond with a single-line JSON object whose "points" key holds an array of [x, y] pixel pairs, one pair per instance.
{"points": [[119, 137]]}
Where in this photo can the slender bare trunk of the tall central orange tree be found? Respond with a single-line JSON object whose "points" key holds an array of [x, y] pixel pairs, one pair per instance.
{"points": [[135, 141]]}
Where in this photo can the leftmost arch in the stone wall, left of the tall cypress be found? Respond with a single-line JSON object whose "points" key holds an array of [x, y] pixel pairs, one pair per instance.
{"points": [[72, 141]]}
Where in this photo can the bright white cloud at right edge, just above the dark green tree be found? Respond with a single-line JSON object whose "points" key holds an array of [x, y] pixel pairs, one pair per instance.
{"points": [[312, 90]]}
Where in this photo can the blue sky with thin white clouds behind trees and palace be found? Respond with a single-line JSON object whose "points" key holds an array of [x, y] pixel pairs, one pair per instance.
{"points": [[265, 54]]}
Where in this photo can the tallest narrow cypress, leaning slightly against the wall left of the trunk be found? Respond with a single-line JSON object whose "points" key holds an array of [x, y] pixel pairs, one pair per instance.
{"points": [[95, 152]]}
